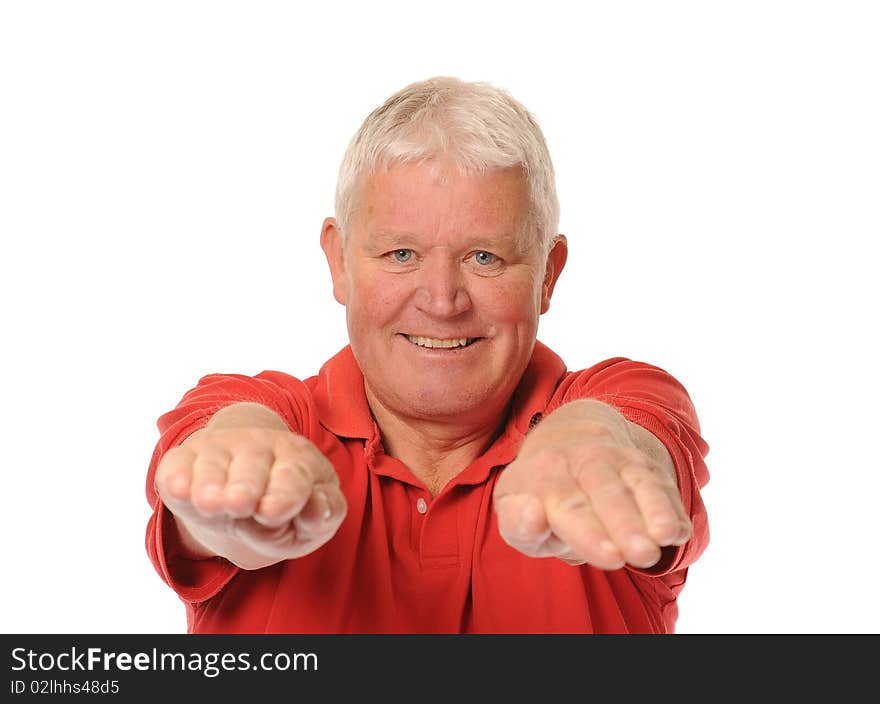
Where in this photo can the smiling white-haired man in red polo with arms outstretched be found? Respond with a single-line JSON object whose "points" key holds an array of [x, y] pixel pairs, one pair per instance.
{"points": [[444, 472]]}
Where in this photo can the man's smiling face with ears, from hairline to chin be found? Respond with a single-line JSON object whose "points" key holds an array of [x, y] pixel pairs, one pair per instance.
{"points": [[442, 296]]}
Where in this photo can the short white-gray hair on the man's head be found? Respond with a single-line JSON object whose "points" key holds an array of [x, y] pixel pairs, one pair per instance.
{"points": [[478, 126]]}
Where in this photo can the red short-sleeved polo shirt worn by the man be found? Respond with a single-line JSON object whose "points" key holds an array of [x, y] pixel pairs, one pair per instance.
{"points": [[406, 562]]}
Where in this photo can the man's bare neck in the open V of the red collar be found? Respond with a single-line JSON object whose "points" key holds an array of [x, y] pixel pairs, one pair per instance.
{"points": [[435, 451]]}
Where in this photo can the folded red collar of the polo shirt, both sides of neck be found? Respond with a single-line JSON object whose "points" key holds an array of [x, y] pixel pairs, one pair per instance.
{"points": [[343, 409]]}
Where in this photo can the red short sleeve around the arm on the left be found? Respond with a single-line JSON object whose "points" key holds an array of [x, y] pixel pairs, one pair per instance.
{"points": [[197, 580]]}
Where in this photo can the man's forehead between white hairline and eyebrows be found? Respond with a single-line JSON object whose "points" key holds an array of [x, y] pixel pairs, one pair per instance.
{"points": [[432, 198]]}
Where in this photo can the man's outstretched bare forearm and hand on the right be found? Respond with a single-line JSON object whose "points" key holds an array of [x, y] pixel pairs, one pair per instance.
{"points": [[589, 486]]}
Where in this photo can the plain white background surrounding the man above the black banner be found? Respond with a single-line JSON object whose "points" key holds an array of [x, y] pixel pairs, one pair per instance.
{"points": [[165, 168]]}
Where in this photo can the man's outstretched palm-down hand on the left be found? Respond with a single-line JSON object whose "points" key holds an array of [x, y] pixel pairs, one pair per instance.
{"points": [[253, 495]]}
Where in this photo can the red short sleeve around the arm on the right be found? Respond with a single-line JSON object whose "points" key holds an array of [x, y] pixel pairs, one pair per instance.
{"points": [[652, 398]]}
